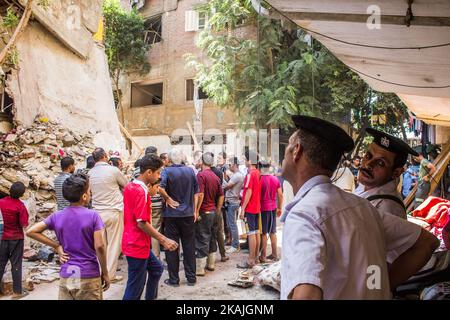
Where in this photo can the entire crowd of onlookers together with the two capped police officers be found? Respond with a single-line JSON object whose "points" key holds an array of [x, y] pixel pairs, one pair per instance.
{"points": [[190, 211]]}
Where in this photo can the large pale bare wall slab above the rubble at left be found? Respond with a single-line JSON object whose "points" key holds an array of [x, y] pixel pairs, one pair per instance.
{"points": [[52, 81]]}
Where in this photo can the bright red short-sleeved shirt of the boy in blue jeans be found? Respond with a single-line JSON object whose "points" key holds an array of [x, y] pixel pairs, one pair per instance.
{"points": [[137, 207]]}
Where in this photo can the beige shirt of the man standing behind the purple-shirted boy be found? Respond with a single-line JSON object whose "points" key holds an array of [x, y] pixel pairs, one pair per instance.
{"points": [[107, 183]]}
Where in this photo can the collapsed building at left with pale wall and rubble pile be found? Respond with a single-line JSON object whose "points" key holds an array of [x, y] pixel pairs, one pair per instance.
{"points": [[57, 100]]}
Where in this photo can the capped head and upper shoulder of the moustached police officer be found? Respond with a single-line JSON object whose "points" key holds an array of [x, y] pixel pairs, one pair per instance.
{"points": [[381, 167]]}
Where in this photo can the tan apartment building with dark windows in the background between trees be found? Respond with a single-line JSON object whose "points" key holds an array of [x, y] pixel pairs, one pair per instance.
{"points": [[161, 108]]}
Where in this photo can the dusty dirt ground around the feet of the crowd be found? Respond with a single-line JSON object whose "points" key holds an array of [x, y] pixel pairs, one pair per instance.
{"points": [[213, 286]]}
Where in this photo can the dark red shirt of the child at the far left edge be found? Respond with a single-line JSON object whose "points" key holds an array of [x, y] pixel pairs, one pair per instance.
{"points": [[15, 218]]}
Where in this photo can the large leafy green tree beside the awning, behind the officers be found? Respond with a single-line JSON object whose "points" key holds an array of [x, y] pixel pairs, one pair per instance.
{"points": [[272, 70]]}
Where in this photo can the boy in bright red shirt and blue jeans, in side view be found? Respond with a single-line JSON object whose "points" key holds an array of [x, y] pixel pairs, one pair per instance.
{"points": [[138, 231]]}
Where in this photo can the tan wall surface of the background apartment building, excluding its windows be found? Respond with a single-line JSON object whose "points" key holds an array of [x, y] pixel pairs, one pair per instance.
{"points": [[168, 65]]}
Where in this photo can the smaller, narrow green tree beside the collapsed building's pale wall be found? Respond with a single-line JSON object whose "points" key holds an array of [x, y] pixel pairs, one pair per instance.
{"points": [[125, 46]]}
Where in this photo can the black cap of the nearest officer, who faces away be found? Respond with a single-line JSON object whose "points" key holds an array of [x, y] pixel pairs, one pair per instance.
{"points": [[328, 131]]}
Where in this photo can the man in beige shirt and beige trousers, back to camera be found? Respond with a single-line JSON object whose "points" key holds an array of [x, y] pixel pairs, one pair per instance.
{"points": [[107, 183]]}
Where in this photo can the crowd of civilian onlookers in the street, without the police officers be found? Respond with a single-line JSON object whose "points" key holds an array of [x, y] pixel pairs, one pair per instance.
{"points": [[189, 211]]}
